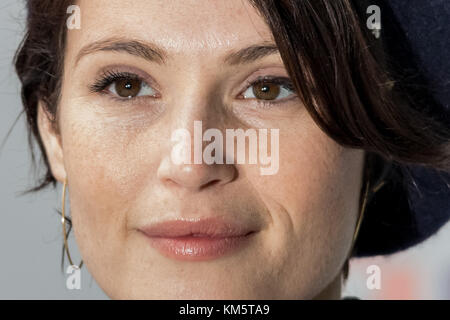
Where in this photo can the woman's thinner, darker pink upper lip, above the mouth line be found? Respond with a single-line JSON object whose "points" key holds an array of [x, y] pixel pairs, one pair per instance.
{"points": [[212, 227]]}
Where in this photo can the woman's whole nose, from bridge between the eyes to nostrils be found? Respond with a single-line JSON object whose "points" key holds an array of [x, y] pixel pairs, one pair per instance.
{"points": [[196, 110]]}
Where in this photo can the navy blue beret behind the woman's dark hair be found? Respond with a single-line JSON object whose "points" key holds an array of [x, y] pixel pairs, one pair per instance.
{"points": [[415, 36]]}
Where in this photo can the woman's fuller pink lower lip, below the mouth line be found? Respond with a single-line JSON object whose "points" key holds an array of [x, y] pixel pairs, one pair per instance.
{"points": [[198, 248]]}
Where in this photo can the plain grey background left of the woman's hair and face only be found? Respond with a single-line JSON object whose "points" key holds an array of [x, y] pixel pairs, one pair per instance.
{"points": [[30, 228]]}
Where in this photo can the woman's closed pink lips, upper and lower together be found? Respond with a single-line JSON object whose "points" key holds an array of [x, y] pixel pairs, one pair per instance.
{"points": [[197, 240]]}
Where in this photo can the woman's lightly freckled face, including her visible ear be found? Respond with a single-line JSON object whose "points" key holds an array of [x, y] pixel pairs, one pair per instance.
{"points": [[136, 72]]}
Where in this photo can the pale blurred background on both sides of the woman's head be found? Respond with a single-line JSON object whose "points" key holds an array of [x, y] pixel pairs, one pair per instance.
{"points": [[30, 228]]}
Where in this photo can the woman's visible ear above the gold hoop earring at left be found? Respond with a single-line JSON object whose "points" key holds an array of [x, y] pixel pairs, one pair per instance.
{"points": [[52, 144]]}
